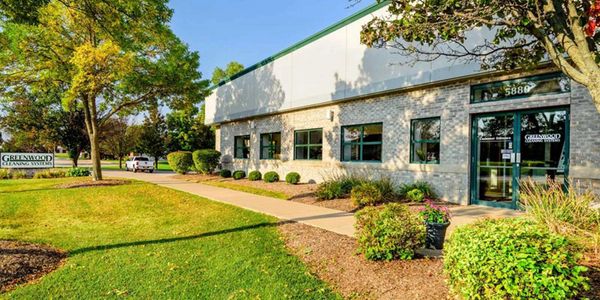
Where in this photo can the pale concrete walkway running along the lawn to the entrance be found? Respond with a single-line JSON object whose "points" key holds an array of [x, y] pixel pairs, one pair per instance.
{"points": [[329, 219]]}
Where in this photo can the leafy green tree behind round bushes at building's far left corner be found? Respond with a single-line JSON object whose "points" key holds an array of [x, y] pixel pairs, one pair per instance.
{"points": [[186, 130]]}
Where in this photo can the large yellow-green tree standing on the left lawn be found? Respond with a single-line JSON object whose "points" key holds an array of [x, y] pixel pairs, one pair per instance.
{"points": [[109, 57]]}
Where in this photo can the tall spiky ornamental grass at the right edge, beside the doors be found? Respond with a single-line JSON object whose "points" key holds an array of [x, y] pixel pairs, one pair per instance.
{"points": [[568, 212]]}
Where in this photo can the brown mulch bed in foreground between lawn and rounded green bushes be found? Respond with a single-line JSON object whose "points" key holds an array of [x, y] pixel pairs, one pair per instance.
{"points": [[332, 257]]}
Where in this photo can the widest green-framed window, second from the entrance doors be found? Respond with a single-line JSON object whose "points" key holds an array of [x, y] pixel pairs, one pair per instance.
{"points": [[362, 142]]}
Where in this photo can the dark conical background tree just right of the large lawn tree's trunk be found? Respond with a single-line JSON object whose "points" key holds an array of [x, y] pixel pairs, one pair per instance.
{"points": [[153, 137]]}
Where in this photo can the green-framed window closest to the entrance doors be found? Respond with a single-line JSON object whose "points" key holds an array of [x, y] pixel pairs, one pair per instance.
{"points": [[425, 141]]}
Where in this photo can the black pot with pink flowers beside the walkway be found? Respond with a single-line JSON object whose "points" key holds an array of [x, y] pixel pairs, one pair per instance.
{"points": [[437, 220]]}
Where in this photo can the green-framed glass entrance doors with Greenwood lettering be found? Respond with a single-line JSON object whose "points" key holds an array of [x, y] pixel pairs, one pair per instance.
{"points": [[510, 146]]}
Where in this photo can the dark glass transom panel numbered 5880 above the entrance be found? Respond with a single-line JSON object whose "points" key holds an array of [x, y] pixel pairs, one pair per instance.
{"points": [[522, 87]]}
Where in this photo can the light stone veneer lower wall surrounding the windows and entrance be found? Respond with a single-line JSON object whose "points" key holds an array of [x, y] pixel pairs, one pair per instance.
{"points": [[451, 103]]}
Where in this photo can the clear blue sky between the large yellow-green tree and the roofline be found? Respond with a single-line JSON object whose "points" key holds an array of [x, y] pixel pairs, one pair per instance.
{"points": [[249, 31]]}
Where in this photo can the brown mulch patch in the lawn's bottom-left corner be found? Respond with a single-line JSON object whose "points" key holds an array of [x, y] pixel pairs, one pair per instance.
{"points": [[24, 262]]}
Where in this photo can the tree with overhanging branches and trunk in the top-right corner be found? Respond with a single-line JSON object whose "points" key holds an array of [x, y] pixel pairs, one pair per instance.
{"points": [[525, 34]]}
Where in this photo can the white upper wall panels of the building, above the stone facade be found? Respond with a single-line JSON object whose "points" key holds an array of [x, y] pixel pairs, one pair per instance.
{"points": [[334, 67]]}
